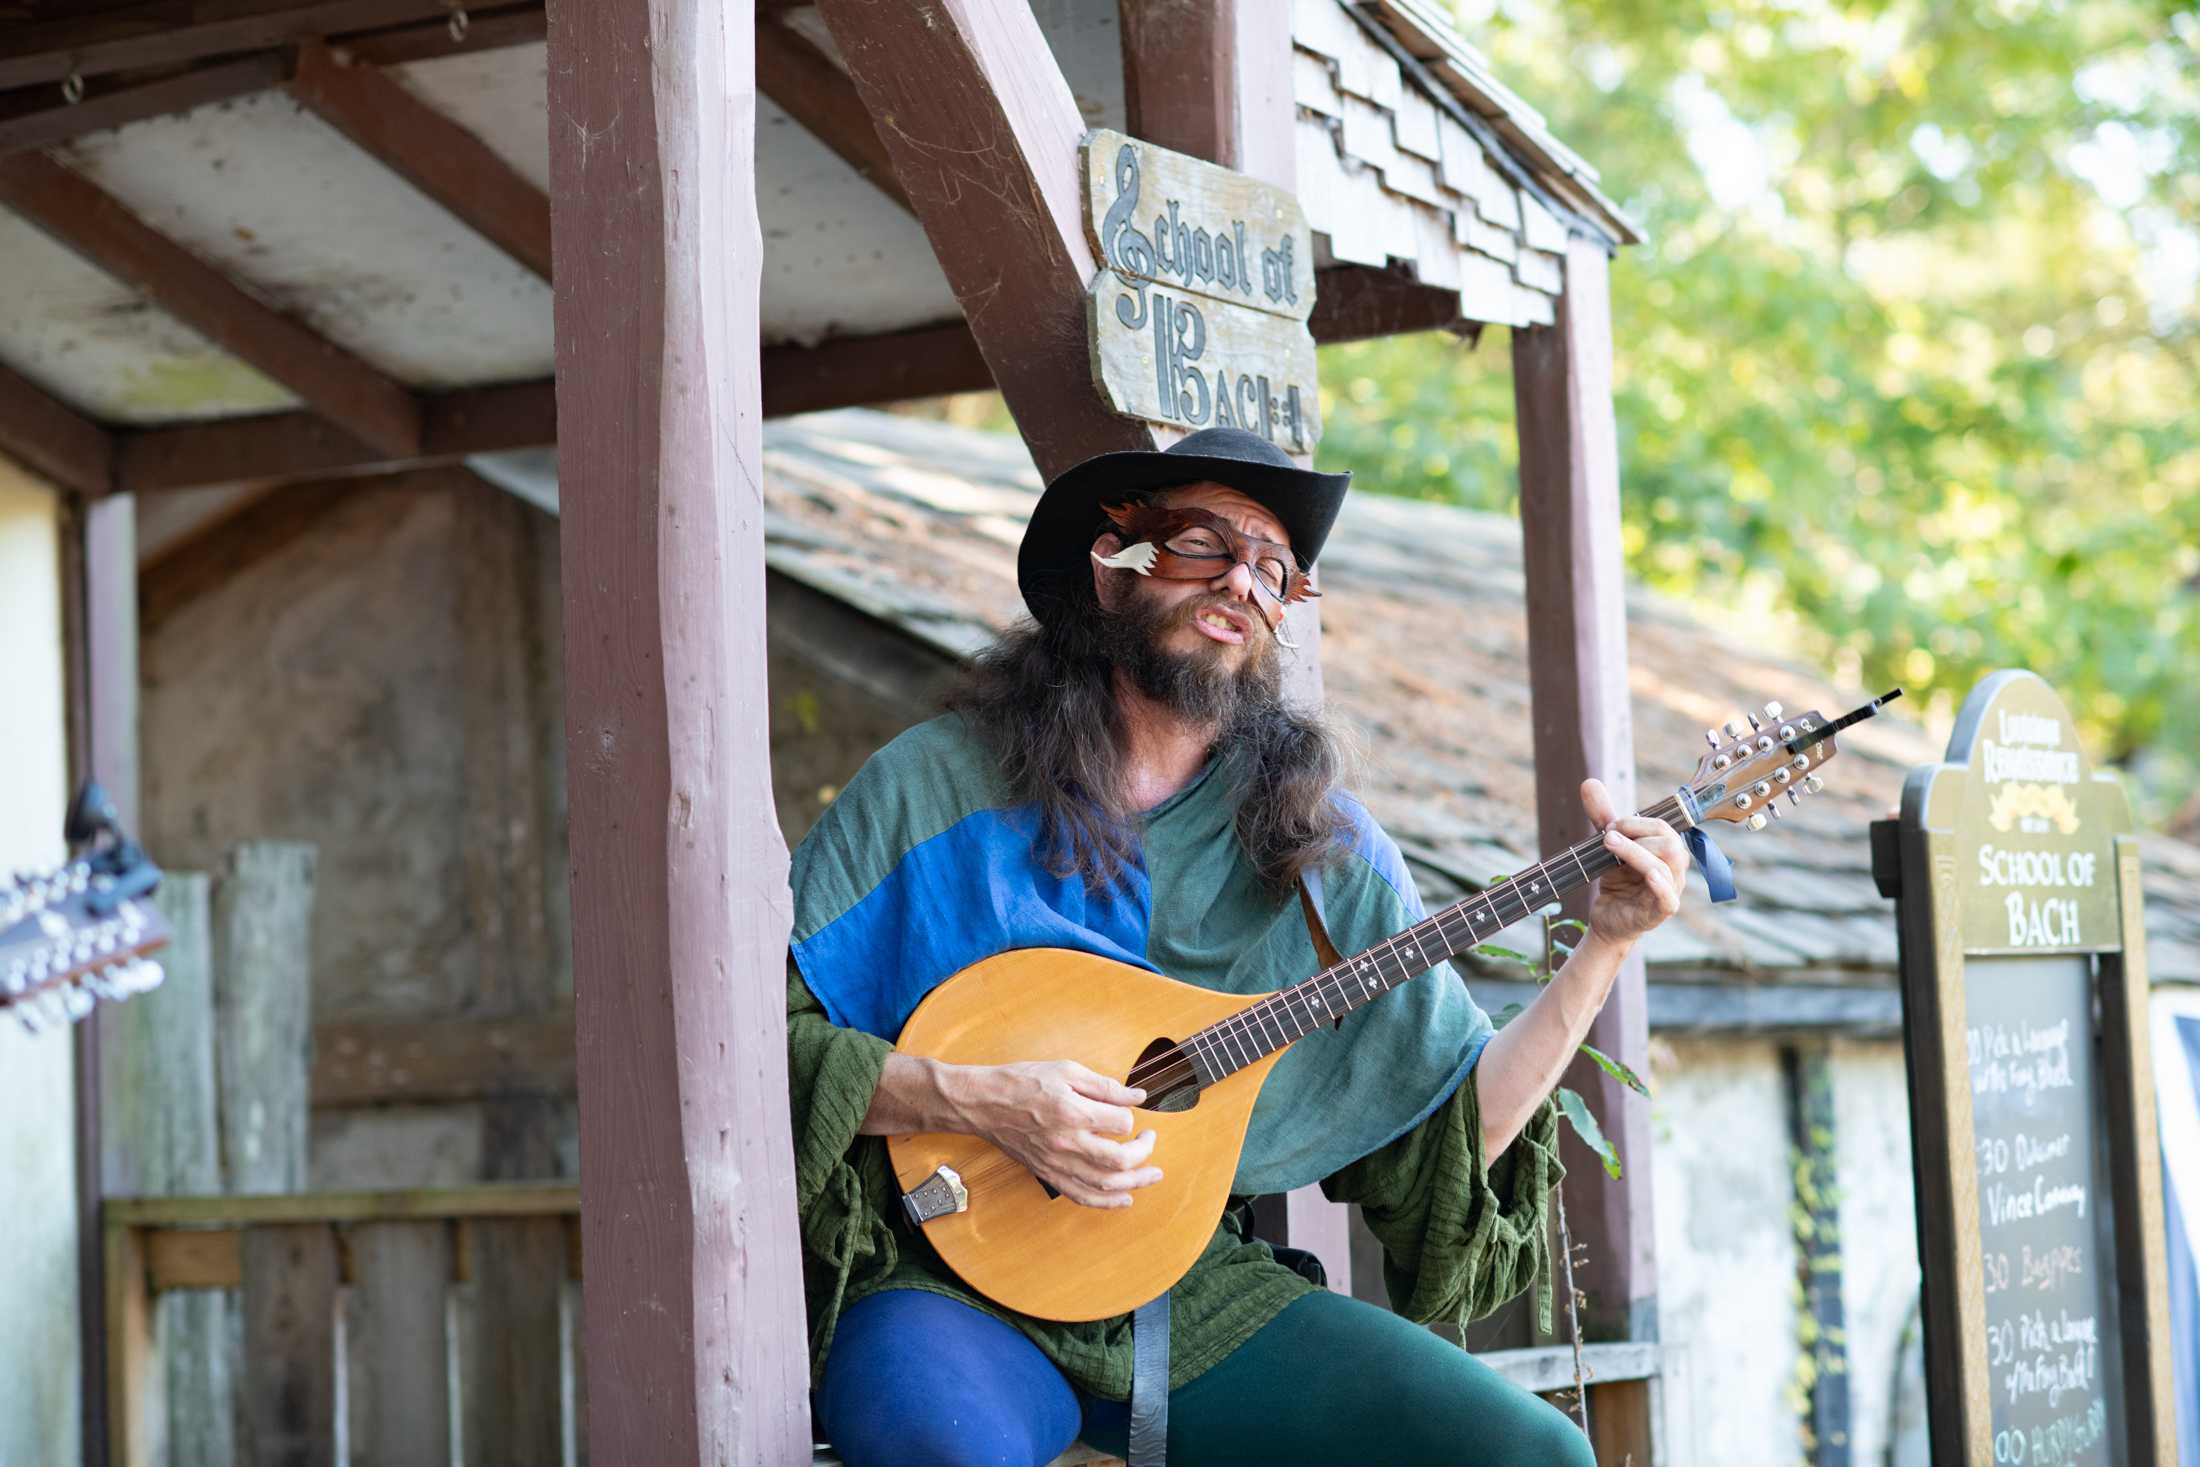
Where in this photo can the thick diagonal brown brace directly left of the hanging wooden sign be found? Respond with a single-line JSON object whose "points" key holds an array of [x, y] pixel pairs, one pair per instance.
{"points": [[980, 113]]}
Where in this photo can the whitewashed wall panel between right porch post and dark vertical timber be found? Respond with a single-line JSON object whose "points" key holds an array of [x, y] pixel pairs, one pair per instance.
{"points": [[1726, 1253]]}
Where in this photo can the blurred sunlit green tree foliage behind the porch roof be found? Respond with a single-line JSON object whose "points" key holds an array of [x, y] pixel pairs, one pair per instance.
{"points": [[1908, 362]]}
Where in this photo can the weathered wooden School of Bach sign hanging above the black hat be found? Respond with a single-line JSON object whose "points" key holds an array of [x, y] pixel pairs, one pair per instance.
{"points": [[1200, 309]]}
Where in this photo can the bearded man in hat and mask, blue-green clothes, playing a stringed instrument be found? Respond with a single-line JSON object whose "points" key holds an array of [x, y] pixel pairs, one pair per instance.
{"points": [[1125, 777]]}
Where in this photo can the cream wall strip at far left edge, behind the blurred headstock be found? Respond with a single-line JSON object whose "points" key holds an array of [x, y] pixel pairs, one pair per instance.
{"points": [[38, 1222]]}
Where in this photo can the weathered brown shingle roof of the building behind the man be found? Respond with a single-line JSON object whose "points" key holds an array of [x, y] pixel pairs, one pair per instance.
{"points": [[1424, 654]]}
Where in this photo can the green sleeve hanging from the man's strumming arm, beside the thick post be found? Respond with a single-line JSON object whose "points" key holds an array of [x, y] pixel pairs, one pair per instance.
{"points": [[841, 1180]]}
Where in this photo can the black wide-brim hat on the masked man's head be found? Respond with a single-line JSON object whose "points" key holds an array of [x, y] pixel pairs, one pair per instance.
{"points": [[1068, 518]]}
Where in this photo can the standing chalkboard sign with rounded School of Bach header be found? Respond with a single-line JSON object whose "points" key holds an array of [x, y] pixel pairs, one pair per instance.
{"points": [[2032, 1103]]}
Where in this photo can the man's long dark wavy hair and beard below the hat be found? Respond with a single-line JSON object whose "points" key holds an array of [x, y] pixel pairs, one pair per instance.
{"points": [[1044, 698]]}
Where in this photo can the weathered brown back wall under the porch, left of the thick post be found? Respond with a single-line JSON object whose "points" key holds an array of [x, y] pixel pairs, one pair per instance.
{"points": [[375, 672]]}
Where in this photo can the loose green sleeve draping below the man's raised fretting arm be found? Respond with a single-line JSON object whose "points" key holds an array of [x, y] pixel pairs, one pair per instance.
{"points": [[1460, 1237]]}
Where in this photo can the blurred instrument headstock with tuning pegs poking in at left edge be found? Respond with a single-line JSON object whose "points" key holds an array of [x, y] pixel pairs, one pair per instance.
{"points": [[82, 931]]}
